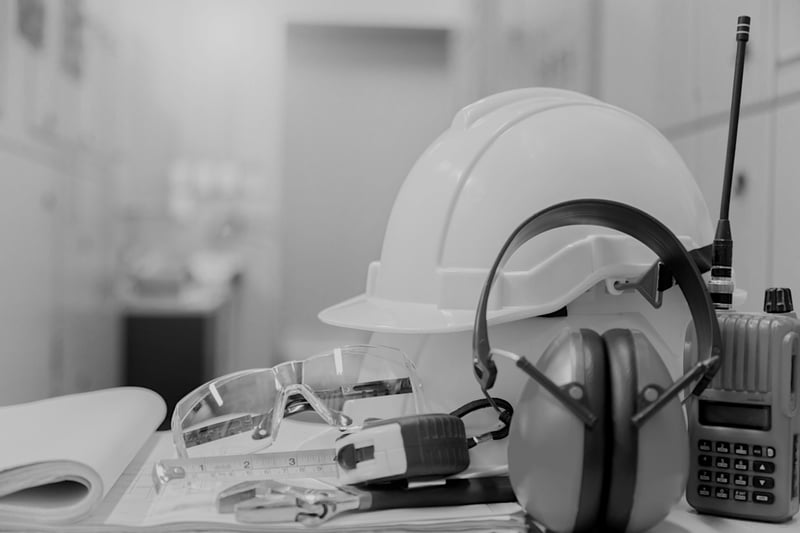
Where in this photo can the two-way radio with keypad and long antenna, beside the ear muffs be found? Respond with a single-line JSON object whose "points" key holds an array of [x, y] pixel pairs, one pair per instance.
{"points": [[743, 429]]}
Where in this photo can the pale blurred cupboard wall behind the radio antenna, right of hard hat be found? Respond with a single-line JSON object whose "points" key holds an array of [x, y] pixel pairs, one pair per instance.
{"points": [[687, 94]]}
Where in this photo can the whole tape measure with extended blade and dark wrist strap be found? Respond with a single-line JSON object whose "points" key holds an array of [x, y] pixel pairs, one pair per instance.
{"points": [[415, 447]]}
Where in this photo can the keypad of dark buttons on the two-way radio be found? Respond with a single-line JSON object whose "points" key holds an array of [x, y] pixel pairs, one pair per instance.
{"points": [[716, 459]]}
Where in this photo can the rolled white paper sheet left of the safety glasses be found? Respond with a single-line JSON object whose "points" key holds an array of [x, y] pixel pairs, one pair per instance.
{"points": [[51, 446]]}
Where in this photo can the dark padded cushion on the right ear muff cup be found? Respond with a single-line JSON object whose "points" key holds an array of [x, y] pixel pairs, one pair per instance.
{"points": [[624, 450]]}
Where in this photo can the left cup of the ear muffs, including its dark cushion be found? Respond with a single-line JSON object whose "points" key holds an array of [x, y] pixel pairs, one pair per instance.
{"points": [[568, 455]]}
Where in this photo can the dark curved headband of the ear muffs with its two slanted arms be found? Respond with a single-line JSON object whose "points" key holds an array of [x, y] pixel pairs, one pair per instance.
{"points": [[650, 232]]}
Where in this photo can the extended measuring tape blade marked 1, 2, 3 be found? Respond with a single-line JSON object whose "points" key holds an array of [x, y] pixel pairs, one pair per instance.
{"points": [[319, 464]]}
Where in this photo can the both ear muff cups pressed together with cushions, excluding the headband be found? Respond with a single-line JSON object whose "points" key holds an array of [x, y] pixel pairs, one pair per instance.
{"points": [[627, 478]]}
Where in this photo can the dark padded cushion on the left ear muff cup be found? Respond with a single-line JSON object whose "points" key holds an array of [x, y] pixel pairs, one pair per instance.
{"points": [[595, 445]]}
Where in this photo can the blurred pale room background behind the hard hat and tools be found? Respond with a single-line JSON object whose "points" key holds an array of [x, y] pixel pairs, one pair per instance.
{"points": [[234, 162]]}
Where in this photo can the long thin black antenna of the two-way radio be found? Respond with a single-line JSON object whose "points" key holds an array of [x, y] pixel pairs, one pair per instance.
{"points": [[721, 284]]}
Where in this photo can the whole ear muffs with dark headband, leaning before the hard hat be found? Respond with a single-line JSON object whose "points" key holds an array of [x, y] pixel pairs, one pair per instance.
{"points": [[598, 441]]}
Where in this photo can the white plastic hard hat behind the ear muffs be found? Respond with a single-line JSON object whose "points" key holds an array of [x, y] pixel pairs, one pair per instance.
{"points": [[504, 158]]}
